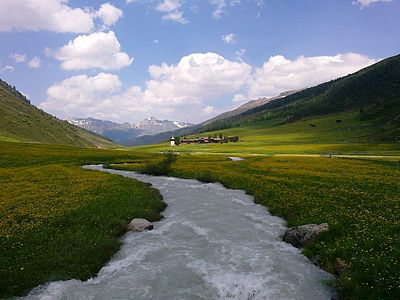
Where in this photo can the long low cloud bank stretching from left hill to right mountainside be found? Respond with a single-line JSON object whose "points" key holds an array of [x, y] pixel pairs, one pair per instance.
{"points": [[190, 89]]}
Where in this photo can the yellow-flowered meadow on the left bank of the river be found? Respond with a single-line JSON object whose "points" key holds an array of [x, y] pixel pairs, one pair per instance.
{"points": [[58, 221]]}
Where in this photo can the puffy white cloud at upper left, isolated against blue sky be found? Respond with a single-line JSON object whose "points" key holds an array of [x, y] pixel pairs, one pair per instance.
{"points": [[97, 50]]}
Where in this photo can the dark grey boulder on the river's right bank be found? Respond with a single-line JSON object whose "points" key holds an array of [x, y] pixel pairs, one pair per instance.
{"points": [[301, 235]]}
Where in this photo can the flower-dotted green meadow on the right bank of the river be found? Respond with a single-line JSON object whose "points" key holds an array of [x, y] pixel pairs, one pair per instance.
{"points": [[359, 198]]}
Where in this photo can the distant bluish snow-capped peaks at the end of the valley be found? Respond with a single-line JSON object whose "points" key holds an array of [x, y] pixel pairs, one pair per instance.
{"points": [[127, 132]]}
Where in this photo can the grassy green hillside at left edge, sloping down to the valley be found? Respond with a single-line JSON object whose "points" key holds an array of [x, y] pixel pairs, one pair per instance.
{"points": [[20, 121]]}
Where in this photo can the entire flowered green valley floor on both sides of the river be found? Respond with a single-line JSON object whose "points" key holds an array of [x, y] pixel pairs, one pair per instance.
{"points": [[53, 213]]}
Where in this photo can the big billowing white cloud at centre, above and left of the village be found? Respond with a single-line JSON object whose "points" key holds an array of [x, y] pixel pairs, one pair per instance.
{"points": [[197, 76]]}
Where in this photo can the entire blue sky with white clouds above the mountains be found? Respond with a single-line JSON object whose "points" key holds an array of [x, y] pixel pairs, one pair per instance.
{"points": [[184, 60]]}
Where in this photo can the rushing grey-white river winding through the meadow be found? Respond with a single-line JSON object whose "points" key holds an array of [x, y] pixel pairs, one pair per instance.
{"points": [[214, 243]]}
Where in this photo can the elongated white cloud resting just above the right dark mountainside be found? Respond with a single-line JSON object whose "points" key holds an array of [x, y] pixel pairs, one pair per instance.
{"points": [[279, 74]]}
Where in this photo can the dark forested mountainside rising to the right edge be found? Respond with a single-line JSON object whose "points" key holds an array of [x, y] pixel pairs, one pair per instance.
{"points": [[373, 92]]}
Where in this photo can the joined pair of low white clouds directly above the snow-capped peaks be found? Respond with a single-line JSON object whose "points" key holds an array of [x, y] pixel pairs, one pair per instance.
{"points": [[196, 78]]}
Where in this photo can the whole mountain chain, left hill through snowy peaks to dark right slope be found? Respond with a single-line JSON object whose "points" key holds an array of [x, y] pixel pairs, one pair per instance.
{"points": [[372, 94]]}
